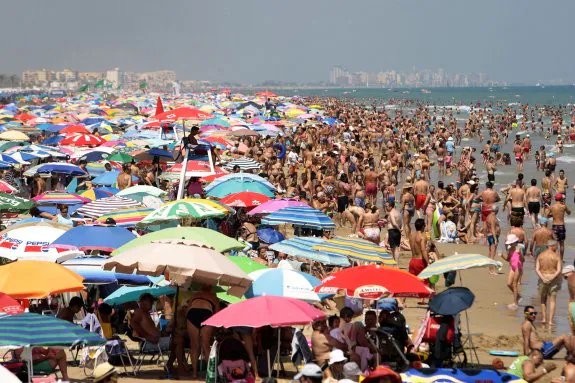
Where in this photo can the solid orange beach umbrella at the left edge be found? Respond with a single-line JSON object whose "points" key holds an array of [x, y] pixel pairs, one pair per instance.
{"points": [[37, 279]]}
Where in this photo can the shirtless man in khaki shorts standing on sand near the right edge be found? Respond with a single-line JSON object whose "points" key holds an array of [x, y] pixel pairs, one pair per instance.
{"points": [[548, 268]]}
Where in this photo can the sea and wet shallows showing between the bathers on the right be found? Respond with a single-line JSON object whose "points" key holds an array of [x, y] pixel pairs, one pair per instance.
{"points": [[459, 101]]}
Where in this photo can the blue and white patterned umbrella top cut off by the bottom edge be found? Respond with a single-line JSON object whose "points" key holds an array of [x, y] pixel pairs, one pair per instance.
{"points": [[447, 375]]}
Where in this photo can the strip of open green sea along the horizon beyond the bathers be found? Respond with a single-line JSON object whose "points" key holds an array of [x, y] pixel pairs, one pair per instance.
{"points": [[543, 95]]}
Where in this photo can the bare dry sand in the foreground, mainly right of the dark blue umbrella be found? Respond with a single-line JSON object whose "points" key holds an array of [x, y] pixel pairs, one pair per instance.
{"points": [[492, 325]]}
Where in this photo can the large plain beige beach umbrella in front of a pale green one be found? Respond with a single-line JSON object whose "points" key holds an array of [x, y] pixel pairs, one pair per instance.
{"points": [[184, 261]]}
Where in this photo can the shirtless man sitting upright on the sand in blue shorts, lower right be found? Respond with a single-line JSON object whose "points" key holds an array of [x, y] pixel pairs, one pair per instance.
{"points": [[532, 340]]}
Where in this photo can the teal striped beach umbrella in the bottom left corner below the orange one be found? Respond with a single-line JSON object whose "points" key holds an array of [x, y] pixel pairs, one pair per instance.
{"points": [[34, 330]]}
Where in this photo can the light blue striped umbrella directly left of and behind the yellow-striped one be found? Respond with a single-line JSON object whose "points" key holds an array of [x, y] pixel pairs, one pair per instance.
{"points": [[302, 247]]}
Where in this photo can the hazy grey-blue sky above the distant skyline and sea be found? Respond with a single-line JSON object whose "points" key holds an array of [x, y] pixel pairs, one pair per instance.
{"points": [[252, 41]]}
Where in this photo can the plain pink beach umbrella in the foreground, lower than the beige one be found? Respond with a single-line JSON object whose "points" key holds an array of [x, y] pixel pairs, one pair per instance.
{"points": [[271, 311]]}
